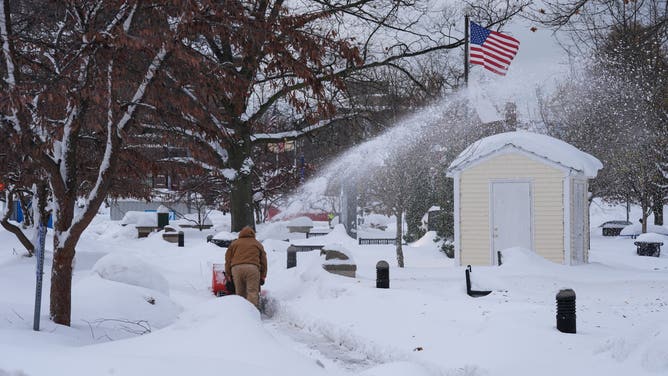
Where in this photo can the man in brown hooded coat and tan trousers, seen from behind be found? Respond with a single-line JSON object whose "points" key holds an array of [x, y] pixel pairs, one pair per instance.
{"points": [[246, 262]]}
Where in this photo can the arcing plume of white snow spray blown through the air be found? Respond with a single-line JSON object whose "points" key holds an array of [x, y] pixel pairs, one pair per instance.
{"points": [[443, 128]]}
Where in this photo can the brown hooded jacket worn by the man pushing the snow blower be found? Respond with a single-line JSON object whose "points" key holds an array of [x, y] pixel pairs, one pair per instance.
{"points": [[246, 250]]}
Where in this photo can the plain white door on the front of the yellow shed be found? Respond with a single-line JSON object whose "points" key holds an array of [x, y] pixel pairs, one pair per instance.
{"points": [[511, 216]]}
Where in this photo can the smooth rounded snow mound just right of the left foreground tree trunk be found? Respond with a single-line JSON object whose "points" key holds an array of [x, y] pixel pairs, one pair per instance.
{"points": [[130, 270]]}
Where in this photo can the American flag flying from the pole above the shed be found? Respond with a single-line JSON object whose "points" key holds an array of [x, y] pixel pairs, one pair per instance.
{"points": [[491, 49]]}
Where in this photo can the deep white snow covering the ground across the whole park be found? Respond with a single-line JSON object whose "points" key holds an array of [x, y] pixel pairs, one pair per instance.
{"points": [[144, 307]]}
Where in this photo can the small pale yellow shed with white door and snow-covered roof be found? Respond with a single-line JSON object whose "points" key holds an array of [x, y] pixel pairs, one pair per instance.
{"points": [[522, 189]]}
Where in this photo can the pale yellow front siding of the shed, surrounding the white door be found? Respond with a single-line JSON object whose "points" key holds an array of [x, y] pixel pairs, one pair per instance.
{"points": [[547, 206]]}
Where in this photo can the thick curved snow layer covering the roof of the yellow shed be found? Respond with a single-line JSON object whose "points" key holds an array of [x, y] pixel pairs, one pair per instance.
{"points": [[540, 145]]}
